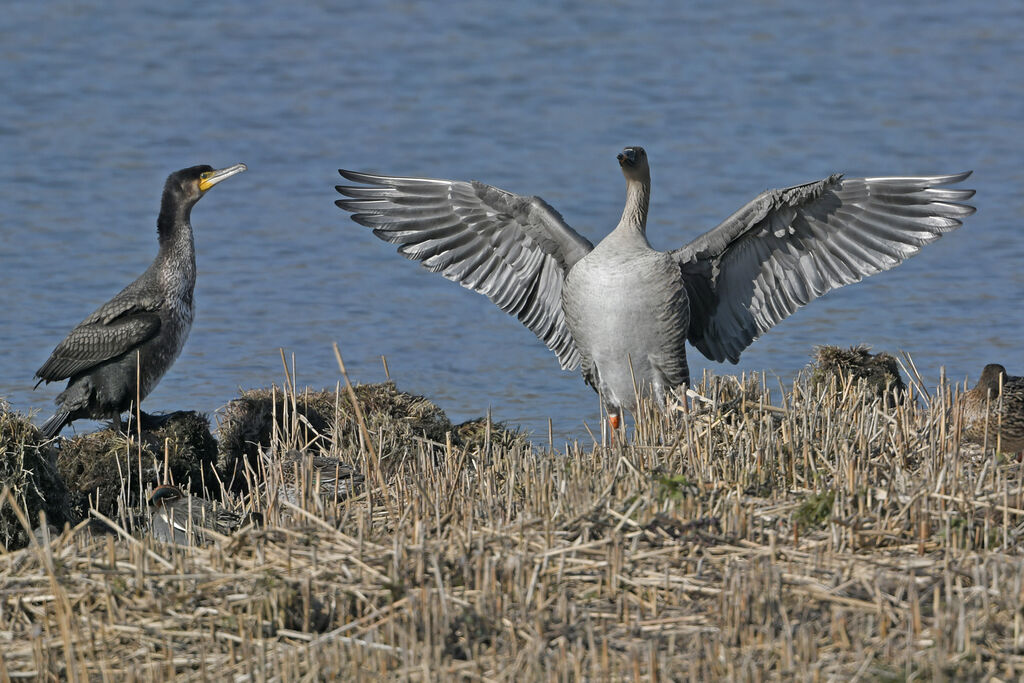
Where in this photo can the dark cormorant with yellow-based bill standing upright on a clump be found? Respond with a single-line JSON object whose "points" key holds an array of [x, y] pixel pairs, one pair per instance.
{"points": [[144, 327]]}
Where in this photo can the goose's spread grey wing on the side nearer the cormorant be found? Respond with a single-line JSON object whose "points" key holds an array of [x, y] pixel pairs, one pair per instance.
{"points": [[516, 250]]}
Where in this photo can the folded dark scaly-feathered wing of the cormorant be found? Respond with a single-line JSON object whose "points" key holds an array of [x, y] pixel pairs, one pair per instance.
{"points": [[116, 328]]}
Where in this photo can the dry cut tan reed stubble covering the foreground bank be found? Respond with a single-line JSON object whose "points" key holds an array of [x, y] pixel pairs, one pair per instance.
{"points": [[819, 531]]}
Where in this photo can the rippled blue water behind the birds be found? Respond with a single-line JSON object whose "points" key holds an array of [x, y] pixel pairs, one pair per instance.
{"points": [[102, 102]]}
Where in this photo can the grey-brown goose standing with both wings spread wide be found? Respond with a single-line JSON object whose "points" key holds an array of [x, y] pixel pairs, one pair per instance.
{"points": [[624, 311]]}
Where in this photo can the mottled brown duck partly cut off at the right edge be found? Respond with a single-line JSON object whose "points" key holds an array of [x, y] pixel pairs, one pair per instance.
{"points": [[1005, 414]]}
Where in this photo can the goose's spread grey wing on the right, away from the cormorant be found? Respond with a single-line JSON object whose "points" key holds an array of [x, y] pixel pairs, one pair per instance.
{"points": [[789, 247]]}
